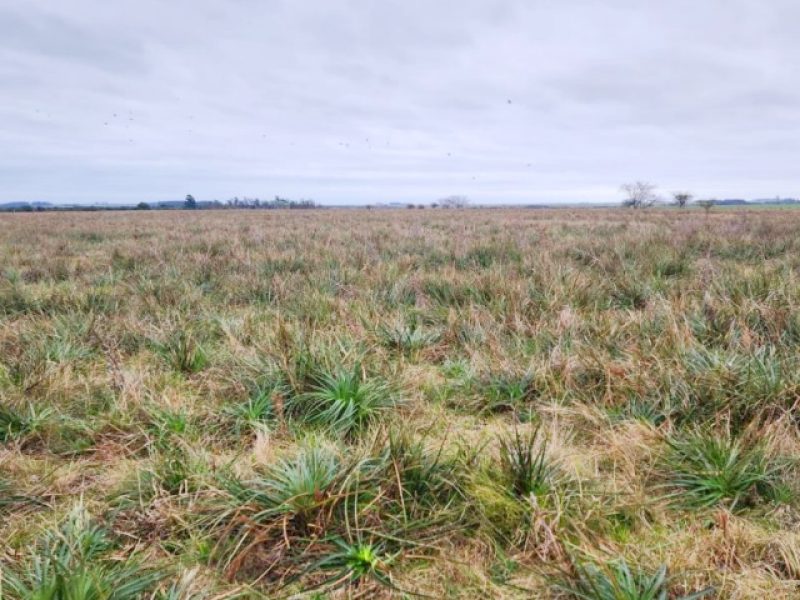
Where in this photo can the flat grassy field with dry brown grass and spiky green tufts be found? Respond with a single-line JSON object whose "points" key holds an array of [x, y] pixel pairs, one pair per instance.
{"points": [[594, 404]]}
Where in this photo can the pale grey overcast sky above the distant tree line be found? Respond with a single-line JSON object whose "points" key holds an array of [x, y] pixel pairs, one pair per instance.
{"points": [[370, 101]]}
